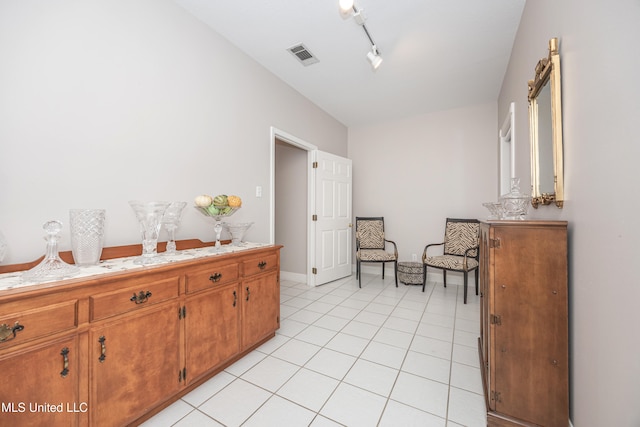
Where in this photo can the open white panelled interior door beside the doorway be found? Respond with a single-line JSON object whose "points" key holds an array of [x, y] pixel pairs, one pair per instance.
{"points": [[333, 183]]}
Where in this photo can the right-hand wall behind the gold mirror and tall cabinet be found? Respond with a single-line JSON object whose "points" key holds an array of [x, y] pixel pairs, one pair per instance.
{"points": [[599, 64]]}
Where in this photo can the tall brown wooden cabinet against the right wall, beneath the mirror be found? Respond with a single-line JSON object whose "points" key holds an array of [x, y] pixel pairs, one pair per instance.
{"points": [[524, 322]]}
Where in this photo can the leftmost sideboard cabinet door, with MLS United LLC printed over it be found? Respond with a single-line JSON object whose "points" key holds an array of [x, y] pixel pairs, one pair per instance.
{"points": [[40, 385]]}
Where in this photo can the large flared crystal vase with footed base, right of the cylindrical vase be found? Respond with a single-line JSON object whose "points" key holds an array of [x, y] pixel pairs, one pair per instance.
{"points": [[149, 215]]}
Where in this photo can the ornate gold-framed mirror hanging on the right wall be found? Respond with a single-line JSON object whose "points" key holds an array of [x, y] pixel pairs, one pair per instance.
{"points": [[545, 130]]}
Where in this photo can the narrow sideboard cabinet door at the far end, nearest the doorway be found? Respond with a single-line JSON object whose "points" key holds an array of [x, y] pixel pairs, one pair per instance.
{"points": [[260, 308]]}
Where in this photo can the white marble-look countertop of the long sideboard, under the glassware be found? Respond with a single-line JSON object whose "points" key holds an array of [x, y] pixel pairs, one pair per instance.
{"points": [[14, 280]]}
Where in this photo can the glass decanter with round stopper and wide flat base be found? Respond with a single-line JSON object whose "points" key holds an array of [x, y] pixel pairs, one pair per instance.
{"points": [[52, 267]]}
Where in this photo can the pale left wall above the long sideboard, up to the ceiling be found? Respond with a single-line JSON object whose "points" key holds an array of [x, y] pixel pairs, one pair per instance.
{"points": [[107, 101]]}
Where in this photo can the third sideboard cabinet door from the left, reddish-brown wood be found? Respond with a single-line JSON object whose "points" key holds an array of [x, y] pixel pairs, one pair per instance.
{"points": [[212, 329]]}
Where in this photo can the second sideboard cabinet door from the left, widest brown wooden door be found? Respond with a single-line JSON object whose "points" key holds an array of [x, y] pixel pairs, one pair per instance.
{"points": [[134, 364]]}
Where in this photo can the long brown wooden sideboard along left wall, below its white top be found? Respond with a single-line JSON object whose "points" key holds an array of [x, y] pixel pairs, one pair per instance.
{"points": [[114, 349]]}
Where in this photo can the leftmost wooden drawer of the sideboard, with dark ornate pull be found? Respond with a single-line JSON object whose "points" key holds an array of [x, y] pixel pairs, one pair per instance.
{"points": [[38, 322]]}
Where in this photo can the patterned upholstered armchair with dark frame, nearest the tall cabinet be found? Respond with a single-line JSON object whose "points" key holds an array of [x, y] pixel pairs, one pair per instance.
{"points": [[460, 251]]}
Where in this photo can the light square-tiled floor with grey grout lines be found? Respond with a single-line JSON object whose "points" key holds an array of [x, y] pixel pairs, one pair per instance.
{"points": [[344, 356]]}
